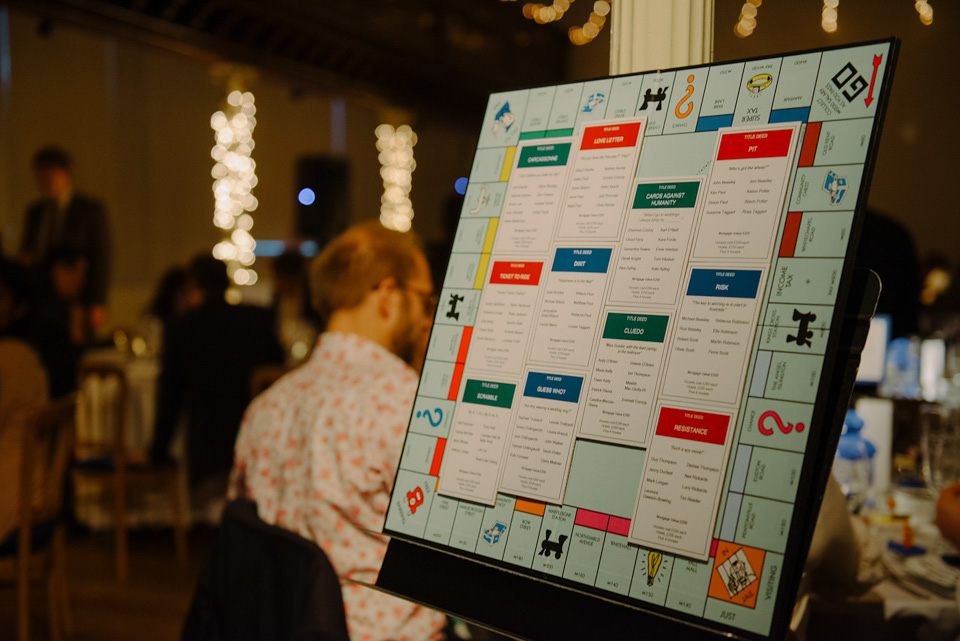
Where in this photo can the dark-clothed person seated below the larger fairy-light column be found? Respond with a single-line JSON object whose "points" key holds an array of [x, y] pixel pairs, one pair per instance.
{"points": [[209, 353]]}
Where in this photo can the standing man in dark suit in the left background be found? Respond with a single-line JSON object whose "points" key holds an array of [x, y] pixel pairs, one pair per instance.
{"points": [[66, 220]]}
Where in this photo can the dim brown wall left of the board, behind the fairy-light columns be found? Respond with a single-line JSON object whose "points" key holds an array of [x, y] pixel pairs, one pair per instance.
{"points": [[137, 122]]}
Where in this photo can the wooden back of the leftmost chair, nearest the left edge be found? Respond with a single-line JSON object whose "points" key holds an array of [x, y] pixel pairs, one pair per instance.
{"points": [[47, 448]]}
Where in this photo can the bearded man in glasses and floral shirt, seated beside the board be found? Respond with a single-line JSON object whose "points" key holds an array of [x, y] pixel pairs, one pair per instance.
{"points": [[318, 451]]}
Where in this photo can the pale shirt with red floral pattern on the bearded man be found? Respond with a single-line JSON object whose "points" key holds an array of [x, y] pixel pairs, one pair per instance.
{"points": [[318, 452]]}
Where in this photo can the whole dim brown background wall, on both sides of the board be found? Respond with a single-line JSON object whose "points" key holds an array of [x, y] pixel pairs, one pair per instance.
{"points": [[137, 122]]}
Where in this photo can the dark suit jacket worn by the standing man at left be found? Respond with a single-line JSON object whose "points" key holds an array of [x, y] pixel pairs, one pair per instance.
{"points": [[84, 228]]}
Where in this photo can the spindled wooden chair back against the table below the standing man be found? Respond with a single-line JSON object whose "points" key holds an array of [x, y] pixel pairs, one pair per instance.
{"points": [[101, 411]]}
